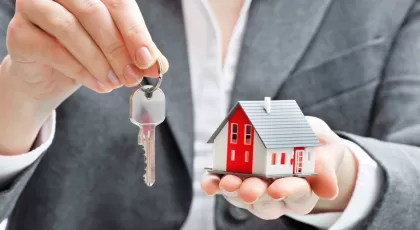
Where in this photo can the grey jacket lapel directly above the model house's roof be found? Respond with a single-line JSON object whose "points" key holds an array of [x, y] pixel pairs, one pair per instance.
{"points": [[277, 35]]}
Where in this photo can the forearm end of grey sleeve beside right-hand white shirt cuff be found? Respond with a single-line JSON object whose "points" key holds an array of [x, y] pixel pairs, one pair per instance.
{"points": [[400, 177]]}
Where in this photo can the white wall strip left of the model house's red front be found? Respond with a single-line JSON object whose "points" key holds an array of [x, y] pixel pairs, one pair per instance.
{"points": [[220, 149]]}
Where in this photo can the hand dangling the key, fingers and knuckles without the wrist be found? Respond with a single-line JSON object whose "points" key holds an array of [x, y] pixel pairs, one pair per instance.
{"points": [[100, 44]]}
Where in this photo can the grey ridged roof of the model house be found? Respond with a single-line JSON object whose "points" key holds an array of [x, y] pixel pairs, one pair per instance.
{"points": [[284, 127]]}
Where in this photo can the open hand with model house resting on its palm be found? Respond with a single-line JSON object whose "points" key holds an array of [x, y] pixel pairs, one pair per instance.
{"points": [[270, 199]]}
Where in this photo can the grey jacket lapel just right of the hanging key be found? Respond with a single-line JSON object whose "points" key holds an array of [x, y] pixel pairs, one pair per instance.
{"points": [[164, 20]]}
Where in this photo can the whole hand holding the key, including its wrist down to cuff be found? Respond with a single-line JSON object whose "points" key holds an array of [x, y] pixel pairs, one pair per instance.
{"points": [[57, 46]]}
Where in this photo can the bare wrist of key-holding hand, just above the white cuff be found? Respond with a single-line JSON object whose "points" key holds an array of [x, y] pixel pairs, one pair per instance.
{"points": [[21, 116]]}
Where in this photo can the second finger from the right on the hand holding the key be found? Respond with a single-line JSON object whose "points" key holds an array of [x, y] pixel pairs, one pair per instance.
{"points": [[106, 36]]}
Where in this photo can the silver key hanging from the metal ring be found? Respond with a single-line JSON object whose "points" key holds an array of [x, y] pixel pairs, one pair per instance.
{"points": [[147, 110]]}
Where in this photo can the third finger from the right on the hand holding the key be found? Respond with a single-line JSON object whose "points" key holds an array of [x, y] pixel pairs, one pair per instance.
{"points": [[64, 26]]}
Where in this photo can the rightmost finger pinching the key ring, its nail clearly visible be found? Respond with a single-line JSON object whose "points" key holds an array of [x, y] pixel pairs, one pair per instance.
{"points": [[129, 20]]}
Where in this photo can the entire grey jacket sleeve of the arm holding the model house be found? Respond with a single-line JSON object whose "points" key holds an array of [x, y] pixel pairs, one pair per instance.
{"points": [[394, 138]]}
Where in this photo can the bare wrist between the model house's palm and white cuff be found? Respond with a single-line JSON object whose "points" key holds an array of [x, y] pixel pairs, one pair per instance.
{"points": [[346, 179]]}
